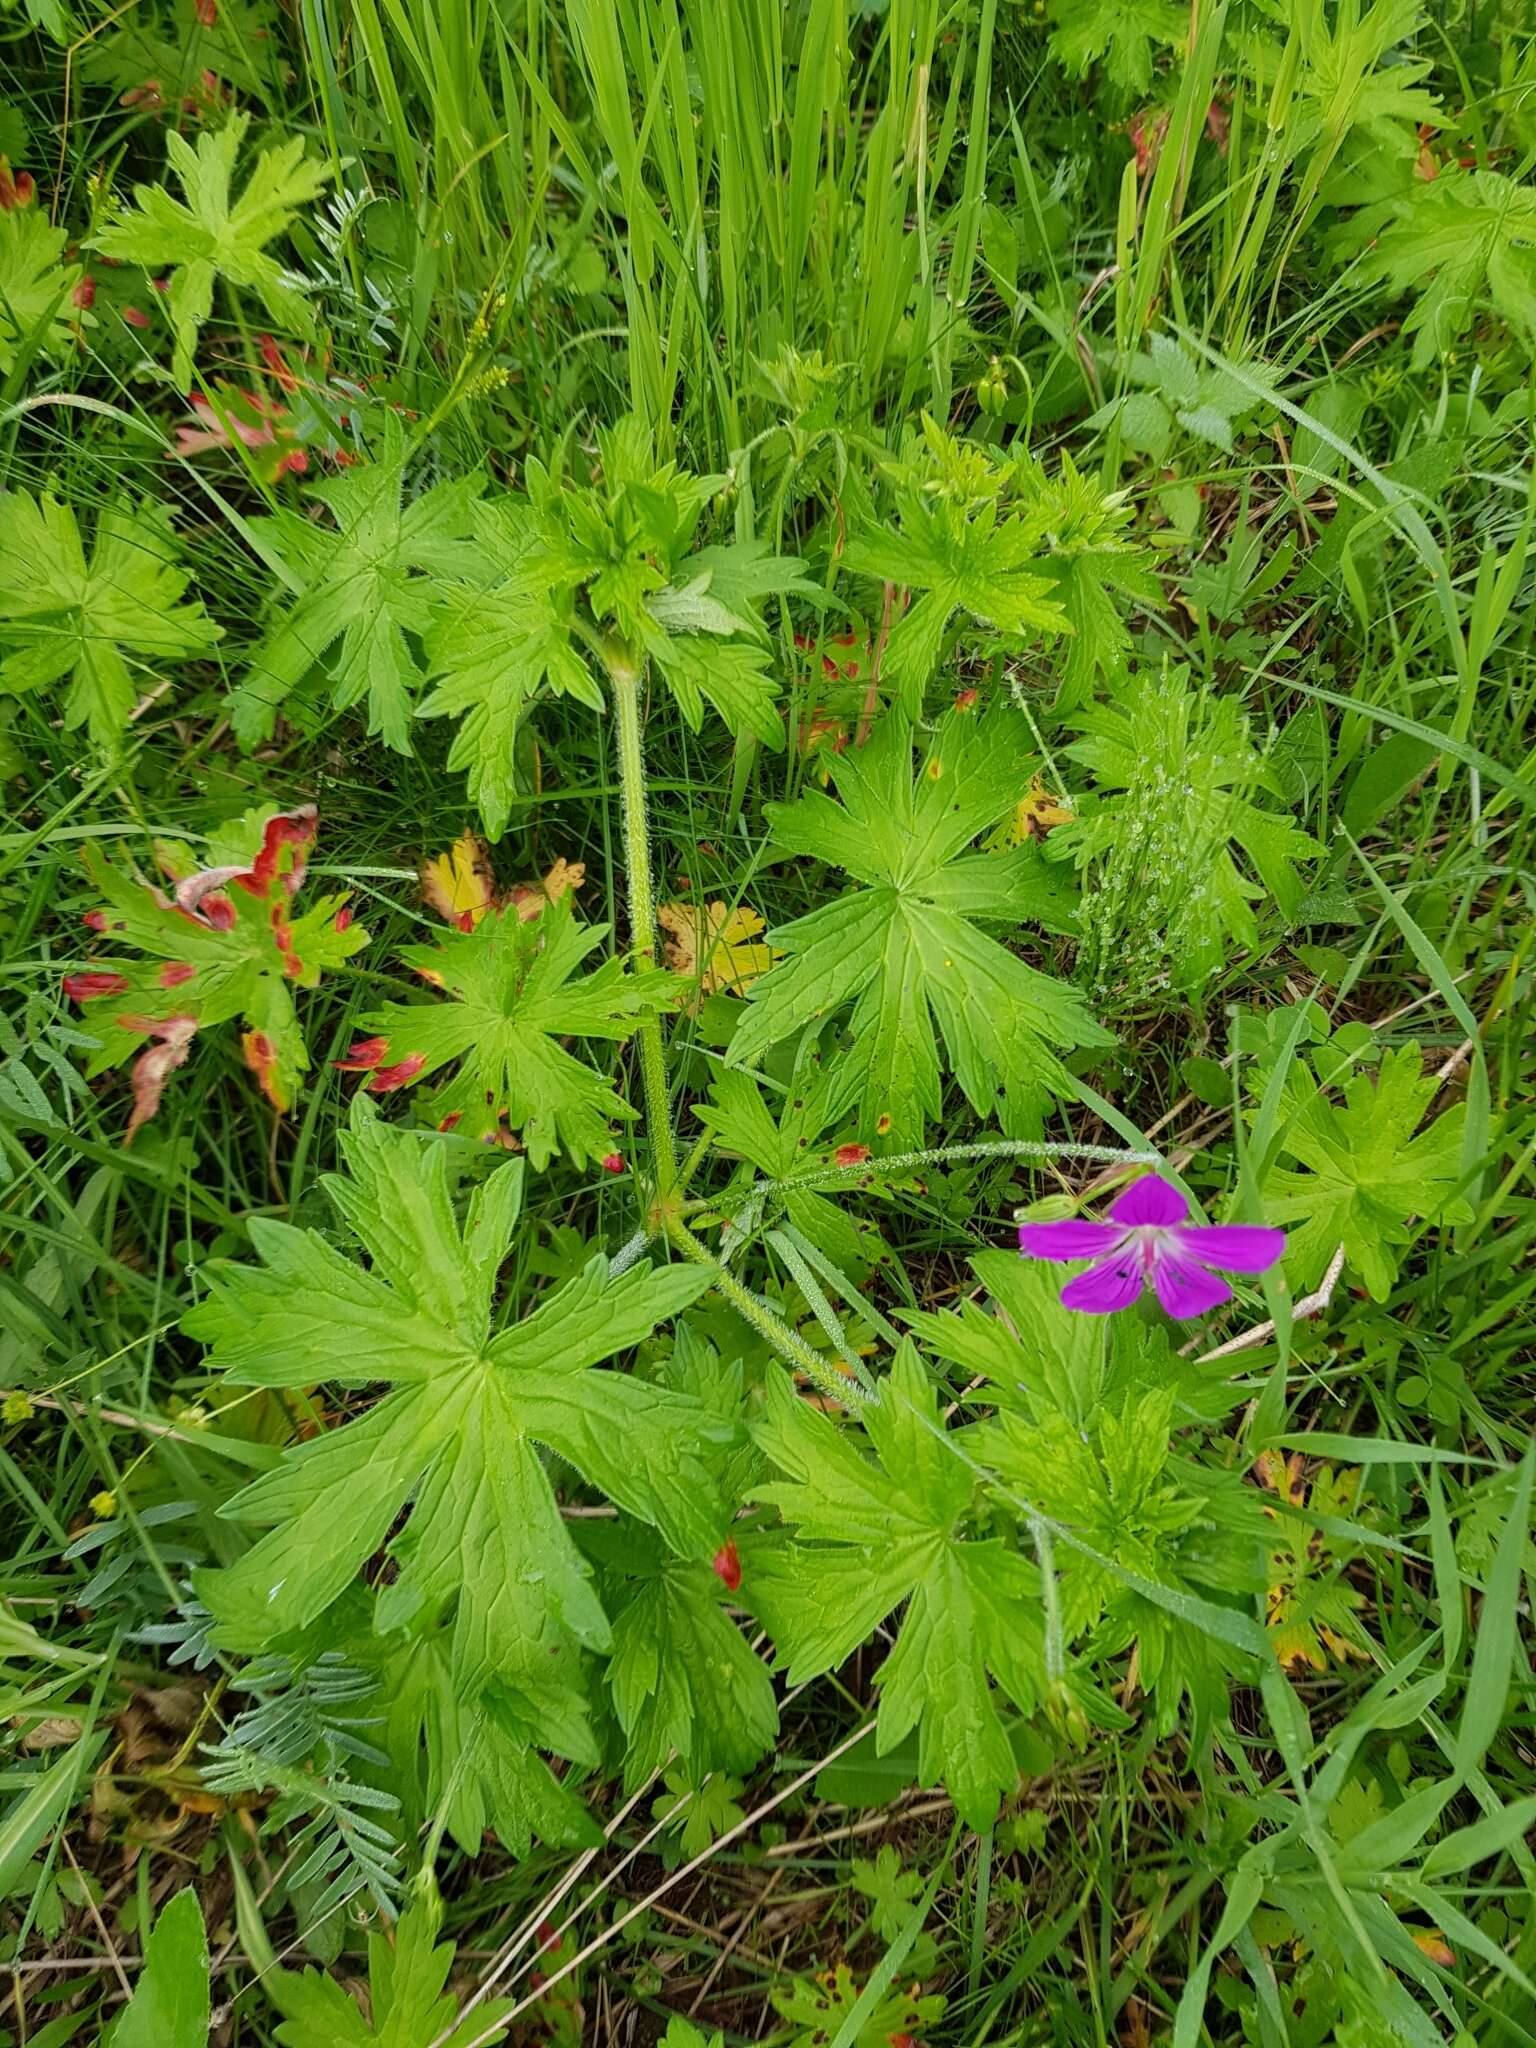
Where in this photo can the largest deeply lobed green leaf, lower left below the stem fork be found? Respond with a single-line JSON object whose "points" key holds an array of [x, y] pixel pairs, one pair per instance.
{"points": [[460, 1431]]}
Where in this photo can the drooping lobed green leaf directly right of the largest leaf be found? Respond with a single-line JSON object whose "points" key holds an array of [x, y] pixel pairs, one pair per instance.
{"points": [[876, 1535]]}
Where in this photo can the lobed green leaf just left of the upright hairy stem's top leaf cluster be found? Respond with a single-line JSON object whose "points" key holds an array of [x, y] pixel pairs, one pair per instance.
{"points": [[368, 583]]}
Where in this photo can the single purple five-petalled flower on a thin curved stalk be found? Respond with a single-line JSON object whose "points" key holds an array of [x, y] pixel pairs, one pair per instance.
{"points": [[1148, 1242]]}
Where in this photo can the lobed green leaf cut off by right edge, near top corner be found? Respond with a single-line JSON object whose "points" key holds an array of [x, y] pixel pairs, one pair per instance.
{"points": [[1459, 243]]}
